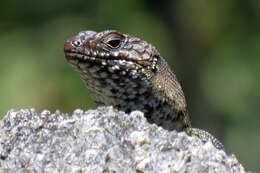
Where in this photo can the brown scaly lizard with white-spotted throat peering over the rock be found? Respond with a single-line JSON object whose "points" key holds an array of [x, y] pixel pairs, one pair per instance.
{"points": [[130, 74]]}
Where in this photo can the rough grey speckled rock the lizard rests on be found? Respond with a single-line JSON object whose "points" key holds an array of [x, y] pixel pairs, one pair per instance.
{"points": [[102, 140]]}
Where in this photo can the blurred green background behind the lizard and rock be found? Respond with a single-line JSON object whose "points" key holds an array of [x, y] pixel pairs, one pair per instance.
{"points": [[213, 47]]}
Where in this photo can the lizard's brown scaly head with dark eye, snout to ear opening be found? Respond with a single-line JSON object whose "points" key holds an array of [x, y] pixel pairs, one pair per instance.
{"points": [[119, 52]]}
